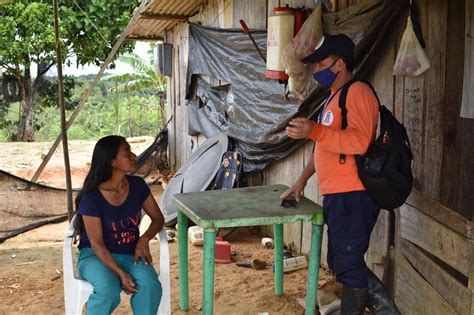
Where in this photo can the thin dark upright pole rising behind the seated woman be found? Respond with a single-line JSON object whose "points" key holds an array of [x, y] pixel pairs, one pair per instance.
{"points": [[62, 108]]}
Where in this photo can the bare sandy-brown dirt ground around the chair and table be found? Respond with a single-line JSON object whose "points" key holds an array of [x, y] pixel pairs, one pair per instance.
{"points": [[31, 267]]}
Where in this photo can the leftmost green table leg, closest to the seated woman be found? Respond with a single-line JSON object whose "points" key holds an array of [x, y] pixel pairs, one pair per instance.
{"points": [[183, 261]]}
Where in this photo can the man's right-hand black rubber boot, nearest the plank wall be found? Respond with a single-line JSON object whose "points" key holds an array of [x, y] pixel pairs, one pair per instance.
{"points": [[380, 302]]}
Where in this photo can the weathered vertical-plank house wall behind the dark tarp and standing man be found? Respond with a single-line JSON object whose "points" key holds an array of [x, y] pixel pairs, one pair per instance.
{"points": [[428, 105]]}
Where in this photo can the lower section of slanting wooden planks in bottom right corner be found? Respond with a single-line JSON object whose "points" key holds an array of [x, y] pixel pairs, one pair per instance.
{"points": [[435, 259]]}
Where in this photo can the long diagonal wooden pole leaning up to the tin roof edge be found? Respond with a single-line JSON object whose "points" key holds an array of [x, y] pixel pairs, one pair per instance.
{"points": [[89, 89]]}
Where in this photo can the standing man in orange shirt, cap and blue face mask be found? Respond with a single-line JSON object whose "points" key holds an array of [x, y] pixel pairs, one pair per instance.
{"points": [[349, 211]]}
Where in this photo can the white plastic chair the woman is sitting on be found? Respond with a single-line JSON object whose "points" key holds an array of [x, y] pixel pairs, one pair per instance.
{"points": [[77, 291]]}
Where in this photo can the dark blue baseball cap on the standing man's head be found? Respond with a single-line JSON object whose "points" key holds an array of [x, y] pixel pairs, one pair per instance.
{"points": [[338, 45]]}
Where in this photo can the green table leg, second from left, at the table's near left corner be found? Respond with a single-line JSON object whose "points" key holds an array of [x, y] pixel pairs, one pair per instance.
{"points": [[208, 274]]}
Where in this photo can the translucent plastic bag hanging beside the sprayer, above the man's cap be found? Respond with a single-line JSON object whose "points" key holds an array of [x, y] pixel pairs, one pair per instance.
{"points": [[300, 81]]}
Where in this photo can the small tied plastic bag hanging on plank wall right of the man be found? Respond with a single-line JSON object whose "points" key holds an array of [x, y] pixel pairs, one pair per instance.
{"points": [[411, 58]]}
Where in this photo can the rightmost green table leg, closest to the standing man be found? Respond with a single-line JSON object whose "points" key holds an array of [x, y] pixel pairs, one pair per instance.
{"points": [[314, 260]]}
